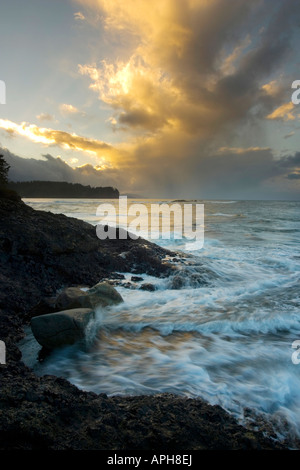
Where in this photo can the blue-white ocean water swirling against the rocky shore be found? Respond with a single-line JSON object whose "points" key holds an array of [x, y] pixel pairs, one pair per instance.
{"points": [[226, 338]]}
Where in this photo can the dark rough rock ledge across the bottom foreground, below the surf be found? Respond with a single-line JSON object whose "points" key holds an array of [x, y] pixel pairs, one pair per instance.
{"points": [[50, 413]]}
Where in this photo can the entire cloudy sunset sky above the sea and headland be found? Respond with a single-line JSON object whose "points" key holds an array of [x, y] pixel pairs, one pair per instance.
{"points": [[163, 99]]}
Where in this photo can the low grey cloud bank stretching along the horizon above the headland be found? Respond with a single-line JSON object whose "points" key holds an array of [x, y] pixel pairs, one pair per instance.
{"points": [[228, 173]]}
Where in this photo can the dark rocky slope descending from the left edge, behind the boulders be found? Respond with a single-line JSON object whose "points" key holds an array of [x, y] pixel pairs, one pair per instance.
{"points": [[41, 252]]}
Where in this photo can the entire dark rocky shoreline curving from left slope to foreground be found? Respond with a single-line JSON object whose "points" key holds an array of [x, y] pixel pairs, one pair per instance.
{"points": [[41, 253]]}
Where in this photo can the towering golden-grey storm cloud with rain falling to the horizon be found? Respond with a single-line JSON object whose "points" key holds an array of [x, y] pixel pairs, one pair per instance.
{"points": [[195, 74]]}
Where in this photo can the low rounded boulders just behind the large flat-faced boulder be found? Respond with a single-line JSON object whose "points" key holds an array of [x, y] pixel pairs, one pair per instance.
{"points": [[101, 294]]}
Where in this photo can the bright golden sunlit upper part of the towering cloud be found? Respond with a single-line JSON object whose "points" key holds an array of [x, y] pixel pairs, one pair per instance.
{"points": [[170, 80]]}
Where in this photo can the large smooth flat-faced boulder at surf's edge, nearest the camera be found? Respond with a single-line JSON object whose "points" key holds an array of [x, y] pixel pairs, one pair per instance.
{"points": [[61, 328]]}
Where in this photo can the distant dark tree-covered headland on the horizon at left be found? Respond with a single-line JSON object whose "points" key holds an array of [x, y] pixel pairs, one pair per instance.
{"points": [[61, 189]]}
